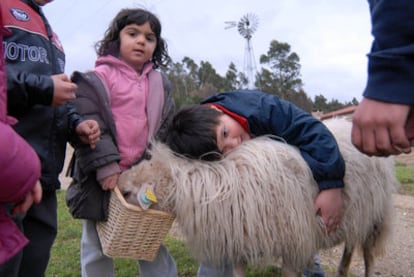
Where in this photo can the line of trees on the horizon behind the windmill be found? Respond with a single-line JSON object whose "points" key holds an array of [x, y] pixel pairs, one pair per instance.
{"points": [[279, 75]]}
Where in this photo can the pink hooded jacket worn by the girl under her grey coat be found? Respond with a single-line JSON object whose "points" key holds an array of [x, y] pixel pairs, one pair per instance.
{"points": [[136, 113]]}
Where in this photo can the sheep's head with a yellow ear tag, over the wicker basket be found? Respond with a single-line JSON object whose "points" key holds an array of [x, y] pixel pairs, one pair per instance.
{"points": [[149, 172]]}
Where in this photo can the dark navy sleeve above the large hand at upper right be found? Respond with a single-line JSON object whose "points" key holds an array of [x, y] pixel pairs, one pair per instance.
{"points": [[391, 60]]}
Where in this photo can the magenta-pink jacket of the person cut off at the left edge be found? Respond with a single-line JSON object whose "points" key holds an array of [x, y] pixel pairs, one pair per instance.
{"points": [[19, 170]]}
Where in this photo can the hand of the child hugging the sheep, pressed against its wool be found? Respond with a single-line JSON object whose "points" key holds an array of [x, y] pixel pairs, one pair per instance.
{"points": [[329, 206]]}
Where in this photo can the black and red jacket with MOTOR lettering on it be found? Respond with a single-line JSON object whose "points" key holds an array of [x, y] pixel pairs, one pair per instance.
{"points": [[33, 53]]}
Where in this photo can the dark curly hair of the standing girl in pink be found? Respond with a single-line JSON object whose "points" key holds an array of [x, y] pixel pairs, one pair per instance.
{"points": [[110, 44]]}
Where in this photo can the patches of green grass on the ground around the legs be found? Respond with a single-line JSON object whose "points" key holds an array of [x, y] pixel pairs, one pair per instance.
{"points": [[65, 258]]}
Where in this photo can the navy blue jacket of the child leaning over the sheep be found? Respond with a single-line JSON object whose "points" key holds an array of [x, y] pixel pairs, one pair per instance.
{"points": [[267, 114]]}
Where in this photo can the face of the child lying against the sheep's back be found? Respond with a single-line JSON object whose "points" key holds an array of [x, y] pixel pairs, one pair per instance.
{"points": [[229, 134]]}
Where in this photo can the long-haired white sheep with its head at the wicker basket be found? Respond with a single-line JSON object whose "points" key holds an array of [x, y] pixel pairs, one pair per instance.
{"points": [[256, 204]]}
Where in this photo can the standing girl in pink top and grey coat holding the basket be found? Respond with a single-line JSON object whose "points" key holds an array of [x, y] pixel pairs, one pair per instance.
{"points": [[132, 102]]}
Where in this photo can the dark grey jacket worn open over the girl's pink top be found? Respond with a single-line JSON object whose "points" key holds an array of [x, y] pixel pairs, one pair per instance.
{"points": [[84, 197]]}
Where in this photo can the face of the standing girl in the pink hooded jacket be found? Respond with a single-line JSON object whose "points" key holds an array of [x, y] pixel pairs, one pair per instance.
{"points": [[137, 45]]}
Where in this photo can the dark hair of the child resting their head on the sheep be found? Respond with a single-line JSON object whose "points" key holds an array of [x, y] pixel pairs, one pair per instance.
{"points": [[192, 132]]}
